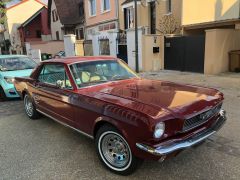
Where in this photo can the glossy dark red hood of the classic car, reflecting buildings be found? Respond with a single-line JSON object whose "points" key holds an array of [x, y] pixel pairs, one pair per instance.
{"points": [[181, 100]]}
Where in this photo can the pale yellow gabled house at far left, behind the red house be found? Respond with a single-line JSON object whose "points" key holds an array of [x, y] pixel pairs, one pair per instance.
{"points": [[16, 15]]}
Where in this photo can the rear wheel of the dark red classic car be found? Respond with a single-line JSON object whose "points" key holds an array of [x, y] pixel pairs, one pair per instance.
{"points": [[30, 108]]}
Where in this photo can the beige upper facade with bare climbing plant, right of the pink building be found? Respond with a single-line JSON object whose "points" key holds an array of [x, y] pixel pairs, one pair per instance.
{"points": [[151, 15]]}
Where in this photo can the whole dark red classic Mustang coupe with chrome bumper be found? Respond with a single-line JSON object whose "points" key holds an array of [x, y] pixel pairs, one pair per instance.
{"points": [[130, 118]]}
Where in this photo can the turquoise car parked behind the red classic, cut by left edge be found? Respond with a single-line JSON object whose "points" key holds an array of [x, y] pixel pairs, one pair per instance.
{"points": [[13, 66]]}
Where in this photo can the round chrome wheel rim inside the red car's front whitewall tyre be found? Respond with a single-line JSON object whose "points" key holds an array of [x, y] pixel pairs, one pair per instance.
{"points": [[115, 150]]}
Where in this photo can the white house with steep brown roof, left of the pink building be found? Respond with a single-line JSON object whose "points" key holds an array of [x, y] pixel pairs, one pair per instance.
{"points": [[66, 17]]}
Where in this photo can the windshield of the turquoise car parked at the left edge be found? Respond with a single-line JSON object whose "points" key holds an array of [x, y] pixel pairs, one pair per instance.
{"points": [[16, 63]]}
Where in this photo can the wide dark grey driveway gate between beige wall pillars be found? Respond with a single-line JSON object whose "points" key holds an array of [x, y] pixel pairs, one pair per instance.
{"points": [[185, 53]]}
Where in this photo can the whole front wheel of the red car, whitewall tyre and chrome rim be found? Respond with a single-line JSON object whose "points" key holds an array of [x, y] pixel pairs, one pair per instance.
{"points": [[114, 151]]}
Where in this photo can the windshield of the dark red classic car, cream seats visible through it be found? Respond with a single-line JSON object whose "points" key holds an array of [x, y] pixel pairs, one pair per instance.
{"points": [[90, 73]]}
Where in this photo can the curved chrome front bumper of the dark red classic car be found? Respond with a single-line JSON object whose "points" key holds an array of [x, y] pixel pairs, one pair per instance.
{"points": [[197, 138]]}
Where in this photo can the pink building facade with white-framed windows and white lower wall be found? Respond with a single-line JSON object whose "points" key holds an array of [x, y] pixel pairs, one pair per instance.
{"points": [[102, 25]]}
